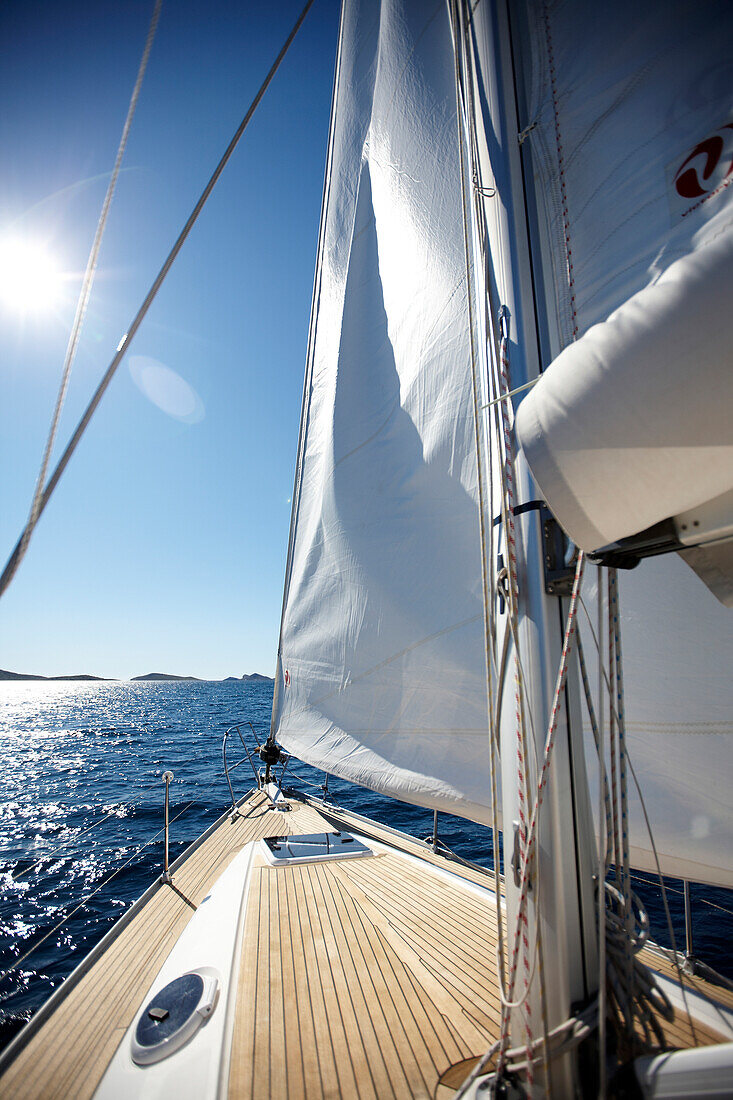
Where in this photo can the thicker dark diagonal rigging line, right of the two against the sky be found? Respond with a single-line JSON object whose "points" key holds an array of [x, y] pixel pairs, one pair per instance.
{"points": [[41, 499]]}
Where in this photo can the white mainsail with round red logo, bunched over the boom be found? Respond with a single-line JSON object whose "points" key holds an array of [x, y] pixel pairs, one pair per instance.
{"points": [[633, 150]]}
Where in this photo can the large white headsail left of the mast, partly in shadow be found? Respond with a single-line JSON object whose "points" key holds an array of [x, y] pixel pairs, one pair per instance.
{"points": [[381, 675]]}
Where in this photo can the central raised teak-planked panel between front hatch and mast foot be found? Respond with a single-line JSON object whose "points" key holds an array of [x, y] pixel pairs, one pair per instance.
{"points": [[367, 978]]}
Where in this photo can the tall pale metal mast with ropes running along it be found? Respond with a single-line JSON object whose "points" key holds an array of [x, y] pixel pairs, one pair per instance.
{"points": [[557, 959]]}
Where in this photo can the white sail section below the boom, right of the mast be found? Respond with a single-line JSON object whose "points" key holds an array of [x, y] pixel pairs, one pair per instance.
{"points": [[679, 655]]}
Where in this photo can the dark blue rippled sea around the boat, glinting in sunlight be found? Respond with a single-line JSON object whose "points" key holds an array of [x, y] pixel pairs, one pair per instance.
{"points": [[82, 802]]}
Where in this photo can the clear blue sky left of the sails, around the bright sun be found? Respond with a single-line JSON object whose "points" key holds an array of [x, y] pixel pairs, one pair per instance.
{"points": [[165, 546]]}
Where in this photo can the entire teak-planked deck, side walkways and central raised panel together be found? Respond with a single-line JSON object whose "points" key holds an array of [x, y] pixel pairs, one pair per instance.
{"points": [[363, 978]]}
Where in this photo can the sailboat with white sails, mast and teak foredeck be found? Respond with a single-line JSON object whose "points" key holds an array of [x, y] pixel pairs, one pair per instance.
{"points": [[506, 598]]}
